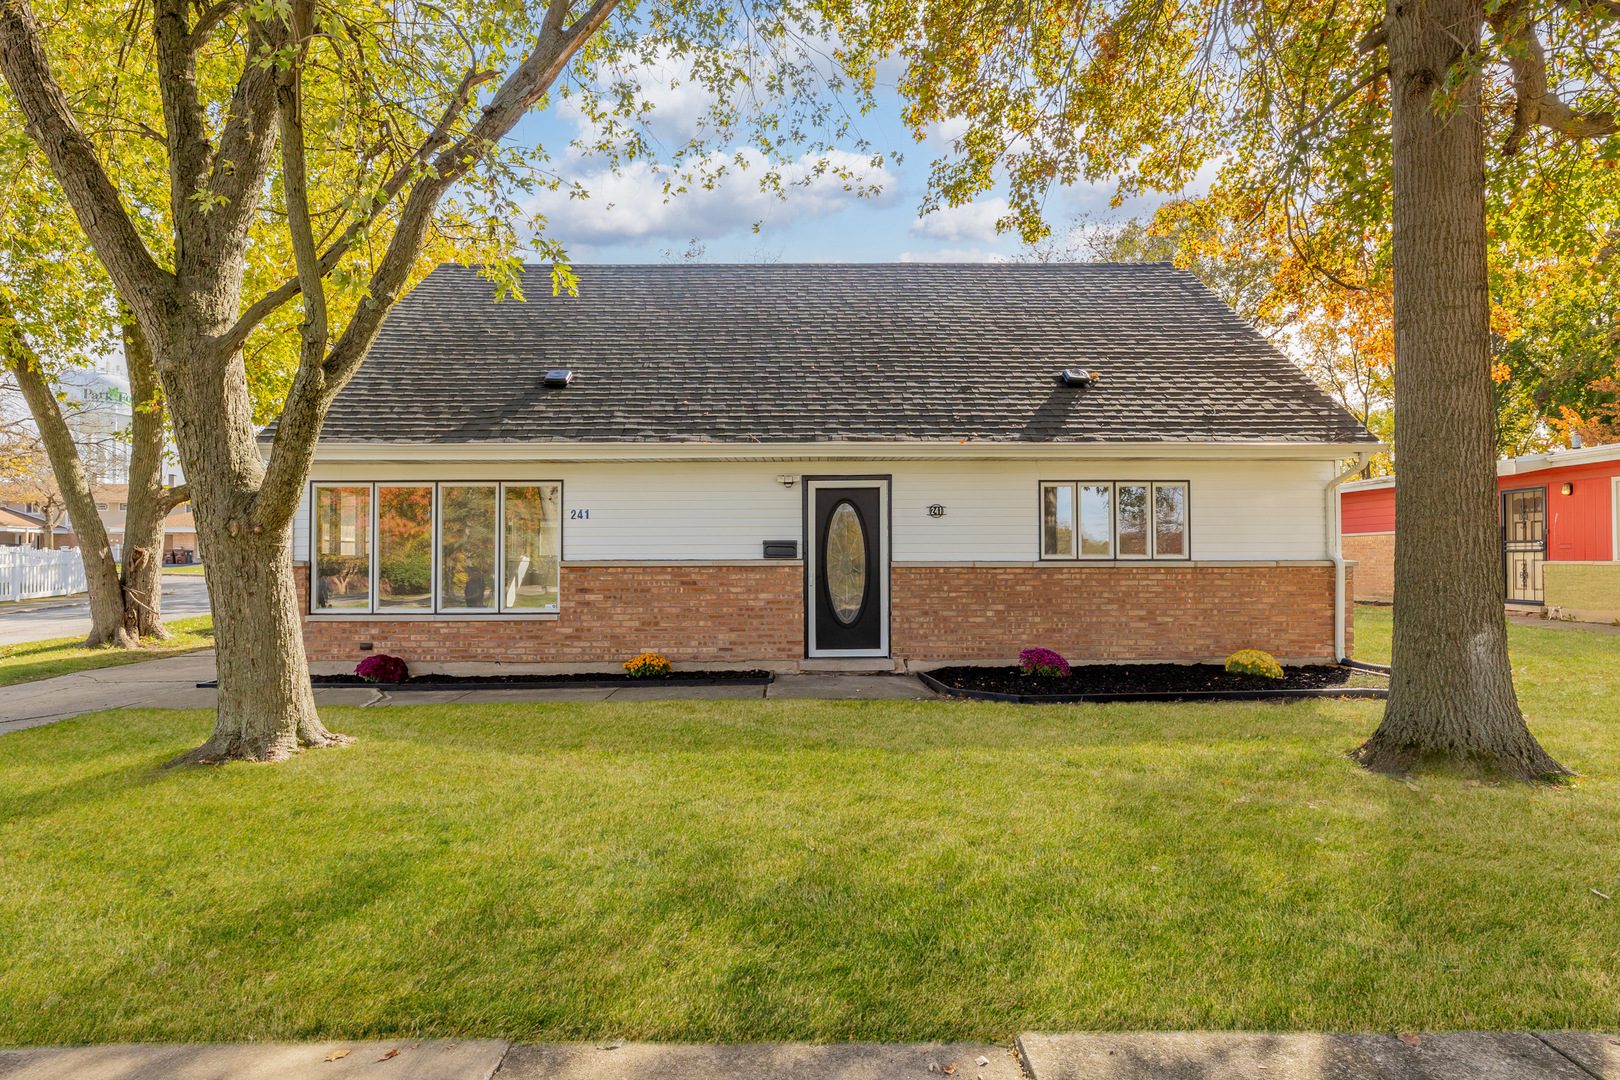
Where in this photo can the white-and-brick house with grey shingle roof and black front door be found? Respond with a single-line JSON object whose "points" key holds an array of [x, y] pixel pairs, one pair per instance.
{"points": [[799, 467]]}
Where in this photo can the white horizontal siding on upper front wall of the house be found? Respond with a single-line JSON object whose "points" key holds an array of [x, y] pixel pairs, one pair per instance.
{"points": [[1258, 511]]}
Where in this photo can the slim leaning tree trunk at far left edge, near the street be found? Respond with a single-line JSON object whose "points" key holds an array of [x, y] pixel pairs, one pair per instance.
{"points": [[101, 571]]}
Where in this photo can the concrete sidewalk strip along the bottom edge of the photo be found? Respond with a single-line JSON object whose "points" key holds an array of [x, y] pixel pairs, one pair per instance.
{"points": [[1157, 1057]]}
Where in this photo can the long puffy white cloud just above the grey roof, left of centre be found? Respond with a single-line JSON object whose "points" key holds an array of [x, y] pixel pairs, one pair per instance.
{"points": [[631, 206]]}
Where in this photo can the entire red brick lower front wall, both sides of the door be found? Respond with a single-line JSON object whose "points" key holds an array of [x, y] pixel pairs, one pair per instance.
{"points": [[740, 614]]}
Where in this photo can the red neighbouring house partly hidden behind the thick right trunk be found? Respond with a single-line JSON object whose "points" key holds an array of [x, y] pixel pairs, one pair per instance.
{"points": [[1559, 534]]}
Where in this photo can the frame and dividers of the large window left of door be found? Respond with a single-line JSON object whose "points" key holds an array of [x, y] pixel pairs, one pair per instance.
{"points": [[435, 611]]}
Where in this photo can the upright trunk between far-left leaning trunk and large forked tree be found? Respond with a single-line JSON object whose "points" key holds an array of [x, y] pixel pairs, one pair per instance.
{"points": [[150, 503]]}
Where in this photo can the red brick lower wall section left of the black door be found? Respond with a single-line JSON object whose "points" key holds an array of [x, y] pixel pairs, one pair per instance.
{"points": [[608, 614]]}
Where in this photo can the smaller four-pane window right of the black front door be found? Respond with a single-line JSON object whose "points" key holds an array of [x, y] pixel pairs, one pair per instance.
{"points": [[1114, 521]]}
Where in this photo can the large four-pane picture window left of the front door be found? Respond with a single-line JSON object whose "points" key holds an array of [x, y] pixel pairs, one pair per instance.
{"points": [[437, 548]]}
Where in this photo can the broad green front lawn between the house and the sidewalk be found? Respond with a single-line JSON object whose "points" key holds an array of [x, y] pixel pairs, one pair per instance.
{"points": [[793, 870]]}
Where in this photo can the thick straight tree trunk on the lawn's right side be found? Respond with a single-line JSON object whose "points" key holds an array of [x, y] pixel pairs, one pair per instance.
{"points": [[1452, 689]]}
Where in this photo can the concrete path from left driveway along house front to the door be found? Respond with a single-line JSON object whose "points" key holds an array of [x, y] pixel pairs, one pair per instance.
{"points": [[173, 684]]}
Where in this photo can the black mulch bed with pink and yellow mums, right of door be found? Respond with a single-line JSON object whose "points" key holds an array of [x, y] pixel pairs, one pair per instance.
{"points": [[1145, 682]]}
